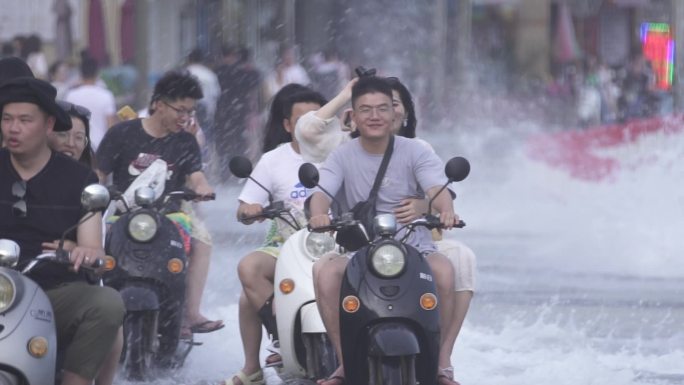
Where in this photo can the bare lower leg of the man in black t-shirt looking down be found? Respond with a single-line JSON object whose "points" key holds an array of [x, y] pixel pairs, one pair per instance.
{"points": [[198, 269]]}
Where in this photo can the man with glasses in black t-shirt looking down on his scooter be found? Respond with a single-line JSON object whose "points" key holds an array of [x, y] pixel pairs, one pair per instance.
{"points": [[130, 147]]}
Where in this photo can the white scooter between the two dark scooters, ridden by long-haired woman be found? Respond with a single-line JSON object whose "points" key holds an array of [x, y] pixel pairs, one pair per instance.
{"points": [[305, 348]]}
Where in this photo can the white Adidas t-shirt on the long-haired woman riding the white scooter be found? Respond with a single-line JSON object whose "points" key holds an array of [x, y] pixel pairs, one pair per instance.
{"points": [[277, 170]]}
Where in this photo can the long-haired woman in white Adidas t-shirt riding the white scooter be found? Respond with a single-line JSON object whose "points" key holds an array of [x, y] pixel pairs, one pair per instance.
{"points": [[277, 171]]}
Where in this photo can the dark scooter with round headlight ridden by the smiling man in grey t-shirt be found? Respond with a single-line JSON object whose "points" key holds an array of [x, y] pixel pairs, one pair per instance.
{"points": [[389, 312]]}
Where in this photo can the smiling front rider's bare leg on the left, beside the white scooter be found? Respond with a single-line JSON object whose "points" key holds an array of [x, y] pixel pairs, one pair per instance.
{"points": [[327, 274]]}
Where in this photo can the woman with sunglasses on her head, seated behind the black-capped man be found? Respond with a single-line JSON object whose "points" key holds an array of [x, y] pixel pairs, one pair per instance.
{"points": [[75, 143]]}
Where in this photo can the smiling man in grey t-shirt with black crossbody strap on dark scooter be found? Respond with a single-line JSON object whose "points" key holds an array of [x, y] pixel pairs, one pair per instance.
{"points": [[355, 164]]}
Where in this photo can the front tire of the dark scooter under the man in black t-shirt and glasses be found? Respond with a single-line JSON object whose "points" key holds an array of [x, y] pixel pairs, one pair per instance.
{"points": [[138, 345]]}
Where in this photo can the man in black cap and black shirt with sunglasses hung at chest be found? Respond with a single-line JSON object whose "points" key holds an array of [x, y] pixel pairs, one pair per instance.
{"points": [[39, 199]]}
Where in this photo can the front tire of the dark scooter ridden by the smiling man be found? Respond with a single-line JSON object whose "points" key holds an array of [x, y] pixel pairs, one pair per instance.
{"points": [[398, 370]]}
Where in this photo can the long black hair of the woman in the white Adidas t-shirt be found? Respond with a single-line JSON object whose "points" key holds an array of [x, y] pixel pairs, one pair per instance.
{"points": [[281, 109]]}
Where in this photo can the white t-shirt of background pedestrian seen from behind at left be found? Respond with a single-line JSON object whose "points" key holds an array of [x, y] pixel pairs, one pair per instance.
{"points": [[100, 102]]}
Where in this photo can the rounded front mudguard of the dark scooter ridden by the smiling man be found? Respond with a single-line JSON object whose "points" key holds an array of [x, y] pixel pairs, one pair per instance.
{"points": [[392, 339]]}
